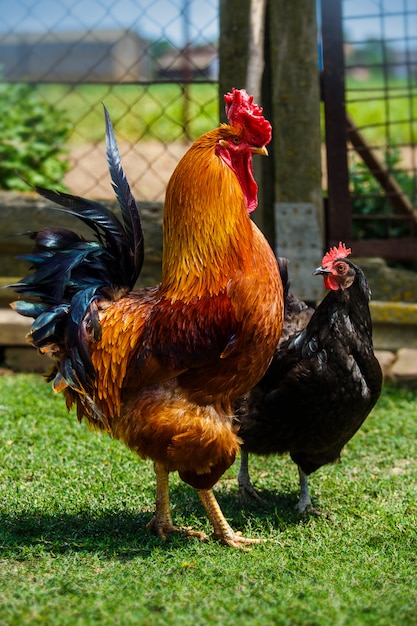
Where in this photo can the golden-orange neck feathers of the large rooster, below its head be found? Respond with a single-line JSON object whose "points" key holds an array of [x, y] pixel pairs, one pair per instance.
{"points": [[204, 243]]}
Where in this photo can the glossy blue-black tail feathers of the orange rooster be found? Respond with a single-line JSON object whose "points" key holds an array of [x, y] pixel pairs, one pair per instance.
{"points": [[70, 275]]}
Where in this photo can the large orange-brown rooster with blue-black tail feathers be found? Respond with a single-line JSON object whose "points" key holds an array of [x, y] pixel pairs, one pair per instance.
{"points": [[161, 368]]}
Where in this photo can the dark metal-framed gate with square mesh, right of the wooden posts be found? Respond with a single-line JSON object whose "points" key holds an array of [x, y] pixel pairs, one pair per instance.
{"points": [[372, 169]]}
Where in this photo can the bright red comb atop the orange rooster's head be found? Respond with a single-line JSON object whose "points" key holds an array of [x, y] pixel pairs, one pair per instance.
{"points": [[241, 111]]}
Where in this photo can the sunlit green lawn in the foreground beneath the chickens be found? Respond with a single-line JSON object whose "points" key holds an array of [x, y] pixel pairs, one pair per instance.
{"points": [[75, 549]]}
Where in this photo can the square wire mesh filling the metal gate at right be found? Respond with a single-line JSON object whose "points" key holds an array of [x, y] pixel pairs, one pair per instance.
{"points": [[380, 49]]}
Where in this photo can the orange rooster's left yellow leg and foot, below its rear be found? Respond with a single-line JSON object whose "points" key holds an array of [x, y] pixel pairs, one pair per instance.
{"points": [[161, 523]]}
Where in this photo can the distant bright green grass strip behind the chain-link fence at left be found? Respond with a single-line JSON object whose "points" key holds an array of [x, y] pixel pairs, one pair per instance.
{"points": [[137, 111]]}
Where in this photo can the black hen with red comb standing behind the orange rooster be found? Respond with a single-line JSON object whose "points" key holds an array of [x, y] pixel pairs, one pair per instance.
{"points": [[322, 382]]}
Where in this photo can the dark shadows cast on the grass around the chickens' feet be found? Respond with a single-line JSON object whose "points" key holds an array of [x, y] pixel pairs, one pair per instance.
{"points": [[123, 534]]}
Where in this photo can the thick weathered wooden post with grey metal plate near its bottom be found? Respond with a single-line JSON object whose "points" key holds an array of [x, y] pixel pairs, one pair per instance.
{"points": [[295, 98]]}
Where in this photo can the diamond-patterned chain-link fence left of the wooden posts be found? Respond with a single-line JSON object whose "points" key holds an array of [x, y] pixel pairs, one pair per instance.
{"points": [[153, 63]]}
